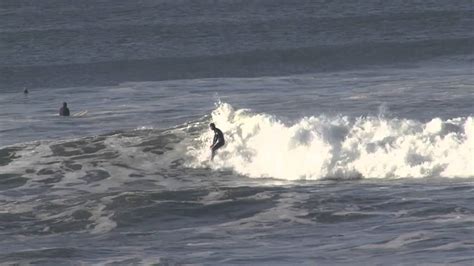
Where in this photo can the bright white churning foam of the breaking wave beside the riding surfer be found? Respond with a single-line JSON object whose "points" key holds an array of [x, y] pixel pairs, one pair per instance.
{"points": [[317, 147]]}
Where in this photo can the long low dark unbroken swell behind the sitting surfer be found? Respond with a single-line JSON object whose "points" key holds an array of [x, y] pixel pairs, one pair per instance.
{"points": [[251, 63]]}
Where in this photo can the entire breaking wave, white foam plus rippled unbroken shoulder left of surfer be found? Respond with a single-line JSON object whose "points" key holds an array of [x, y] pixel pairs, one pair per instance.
{"points": [[257, 145]]}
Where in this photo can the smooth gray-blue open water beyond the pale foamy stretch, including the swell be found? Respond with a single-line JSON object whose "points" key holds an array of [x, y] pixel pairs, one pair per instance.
{"points": [[68, 43]]}
